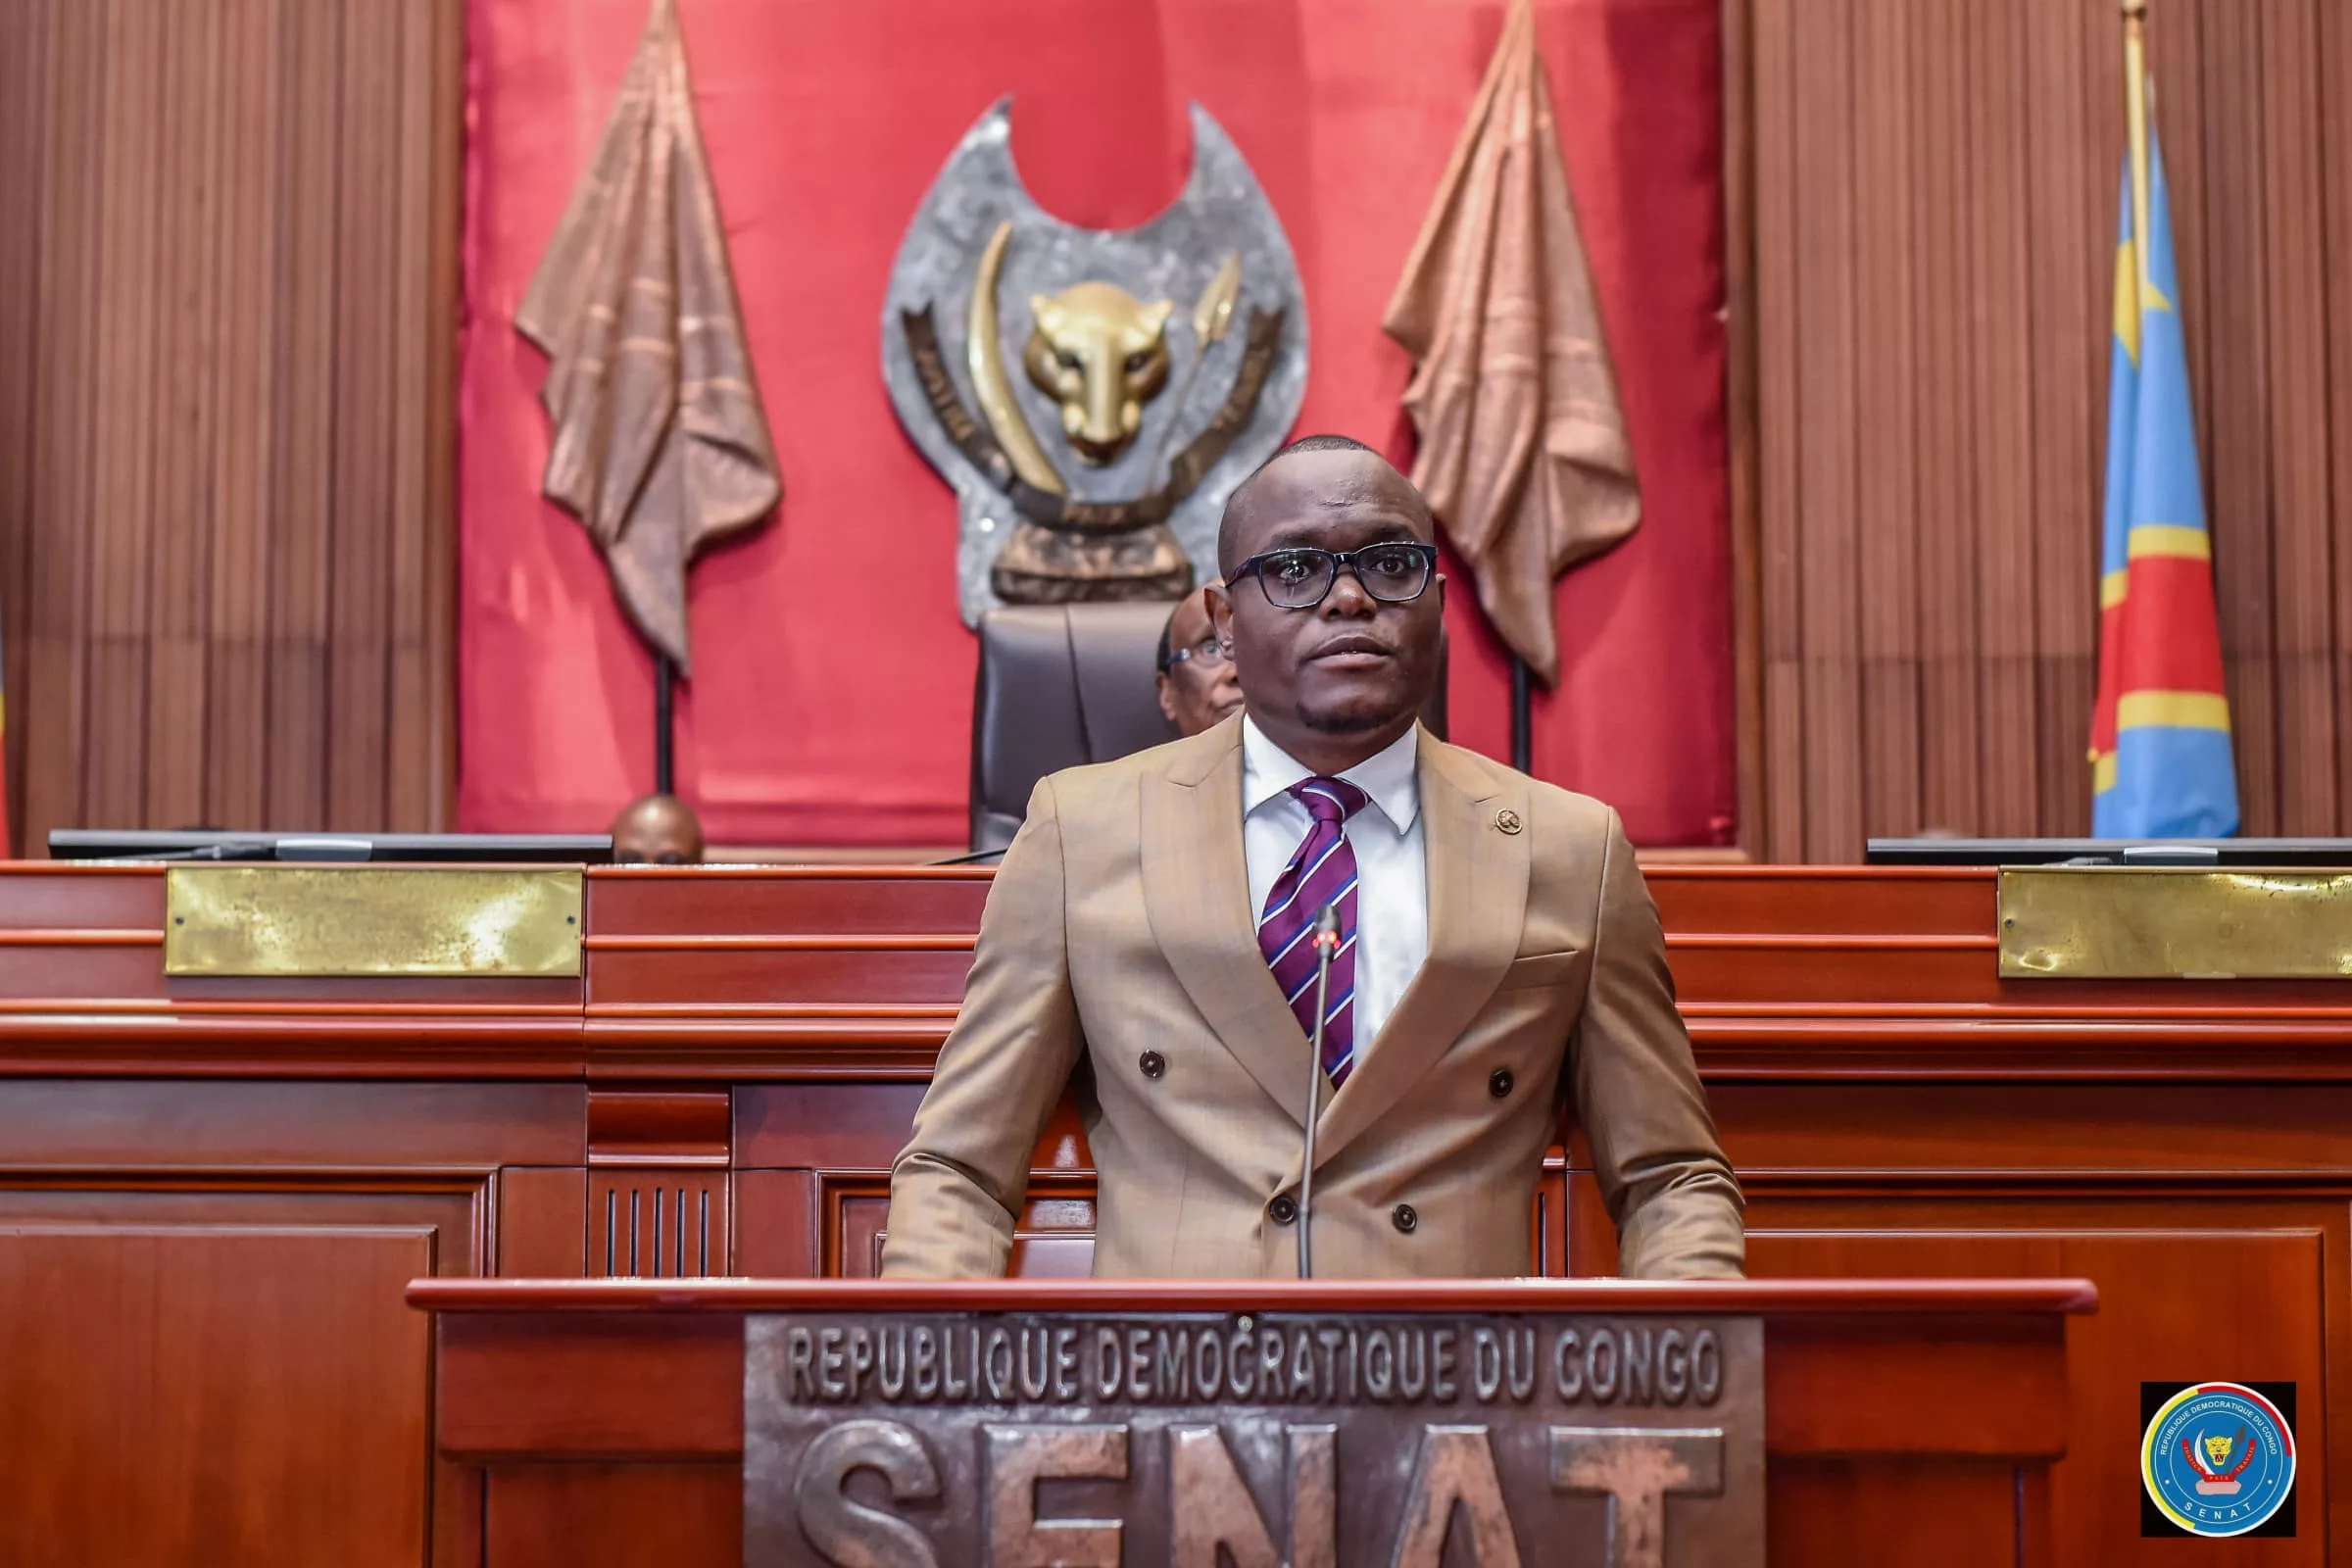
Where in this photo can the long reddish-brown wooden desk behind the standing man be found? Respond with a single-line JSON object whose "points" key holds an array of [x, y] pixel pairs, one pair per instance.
{"points": [[206, 1179]]}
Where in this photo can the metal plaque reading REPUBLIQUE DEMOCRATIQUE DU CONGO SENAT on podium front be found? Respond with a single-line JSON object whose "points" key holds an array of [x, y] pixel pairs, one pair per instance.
{"points": [[1269, 1442]]}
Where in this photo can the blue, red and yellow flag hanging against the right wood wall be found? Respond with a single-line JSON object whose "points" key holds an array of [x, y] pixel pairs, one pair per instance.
{"points": [[2160, 735]]}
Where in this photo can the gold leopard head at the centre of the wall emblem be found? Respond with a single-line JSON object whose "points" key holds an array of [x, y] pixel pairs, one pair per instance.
{"points": [[1102, 354]]}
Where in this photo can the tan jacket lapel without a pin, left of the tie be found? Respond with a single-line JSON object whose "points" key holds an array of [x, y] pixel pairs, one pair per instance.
{"points": [[1196, 894]]}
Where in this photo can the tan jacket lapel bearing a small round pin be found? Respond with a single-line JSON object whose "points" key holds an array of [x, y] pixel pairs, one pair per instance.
{"points": [[1478, 909]]}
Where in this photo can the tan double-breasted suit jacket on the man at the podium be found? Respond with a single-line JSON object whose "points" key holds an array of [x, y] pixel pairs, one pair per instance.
{"points": [[1121, 949]]}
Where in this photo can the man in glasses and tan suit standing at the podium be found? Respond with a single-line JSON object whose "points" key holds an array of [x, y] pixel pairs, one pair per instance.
{"points": [[1149, 937]]}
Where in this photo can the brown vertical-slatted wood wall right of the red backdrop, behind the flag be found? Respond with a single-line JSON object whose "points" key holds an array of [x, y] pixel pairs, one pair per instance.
{"points": [[1932, 192]]}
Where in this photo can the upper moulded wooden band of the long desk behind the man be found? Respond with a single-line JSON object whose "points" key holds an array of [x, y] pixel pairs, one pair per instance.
{"points": [[848, 977]]}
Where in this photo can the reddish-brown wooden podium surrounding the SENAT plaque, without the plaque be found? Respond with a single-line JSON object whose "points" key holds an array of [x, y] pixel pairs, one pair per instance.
{"points": [[1906, 1423]]}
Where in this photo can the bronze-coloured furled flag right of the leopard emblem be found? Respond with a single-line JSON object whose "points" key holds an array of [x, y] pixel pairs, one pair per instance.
{"points": [[1523, 443]]}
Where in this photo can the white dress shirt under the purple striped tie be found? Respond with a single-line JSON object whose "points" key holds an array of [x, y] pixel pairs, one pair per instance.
{"points": [[1391, 876]]}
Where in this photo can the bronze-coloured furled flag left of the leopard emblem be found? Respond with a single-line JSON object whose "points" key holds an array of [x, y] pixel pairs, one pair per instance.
{"points": [[660, 436]]}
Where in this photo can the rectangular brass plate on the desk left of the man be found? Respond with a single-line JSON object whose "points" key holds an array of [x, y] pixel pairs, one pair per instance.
{"points": [[370, 920]]}
